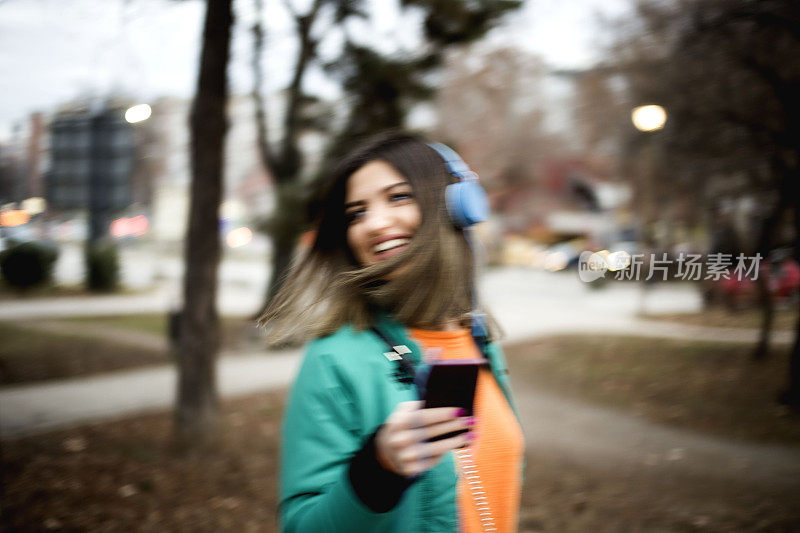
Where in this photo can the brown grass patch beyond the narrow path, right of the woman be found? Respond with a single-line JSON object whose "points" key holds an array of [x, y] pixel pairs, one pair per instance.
{"points": [[710, 387]]}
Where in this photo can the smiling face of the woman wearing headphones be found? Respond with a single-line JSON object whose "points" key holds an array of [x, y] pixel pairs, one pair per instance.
{"points": [[381, 212]]}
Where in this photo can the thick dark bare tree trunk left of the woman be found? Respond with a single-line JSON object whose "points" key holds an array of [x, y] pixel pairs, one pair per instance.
{"points": [[196, 415]]}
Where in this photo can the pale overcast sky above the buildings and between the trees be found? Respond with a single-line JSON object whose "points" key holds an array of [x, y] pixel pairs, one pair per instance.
{"points": [[52, 51]]}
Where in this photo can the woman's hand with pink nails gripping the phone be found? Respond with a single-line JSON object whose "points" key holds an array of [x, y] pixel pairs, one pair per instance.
{"points": [[401, 444]]}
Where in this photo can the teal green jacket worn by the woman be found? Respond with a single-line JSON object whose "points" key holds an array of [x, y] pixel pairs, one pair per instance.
{"points": [[344, 391]]}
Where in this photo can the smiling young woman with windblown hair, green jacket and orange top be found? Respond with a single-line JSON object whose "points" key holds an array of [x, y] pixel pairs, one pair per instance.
{"points": [[386, 285]]}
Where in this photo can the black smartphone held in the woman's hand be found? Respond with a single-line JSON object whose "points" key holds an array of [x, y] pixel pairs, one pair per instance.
{"points": [[450, 383]]}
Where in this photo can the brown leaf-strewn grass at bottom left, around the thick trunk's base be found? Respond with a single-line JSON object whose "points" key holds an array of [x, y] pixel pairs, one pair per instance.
{"points": [[128, 475]]}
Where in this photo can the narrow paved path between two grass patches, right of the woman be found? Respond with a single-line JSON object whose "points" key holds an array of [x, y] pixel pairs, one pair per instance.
{"points": [[604, 438]]}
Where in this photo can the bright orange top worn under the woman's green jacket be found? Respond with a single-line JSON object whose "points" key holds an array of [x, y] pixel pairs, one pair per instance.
{"points": [[497, 451]]}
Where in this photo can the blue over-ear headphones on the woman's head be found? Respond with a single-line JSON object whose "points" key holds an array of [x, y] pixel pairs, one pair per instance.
{"points": [[466, 200]]}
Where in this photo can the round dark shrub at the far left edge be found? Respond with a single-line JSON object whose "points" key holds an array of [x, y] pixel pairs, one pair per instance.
{"points": [[28, 264]]}
